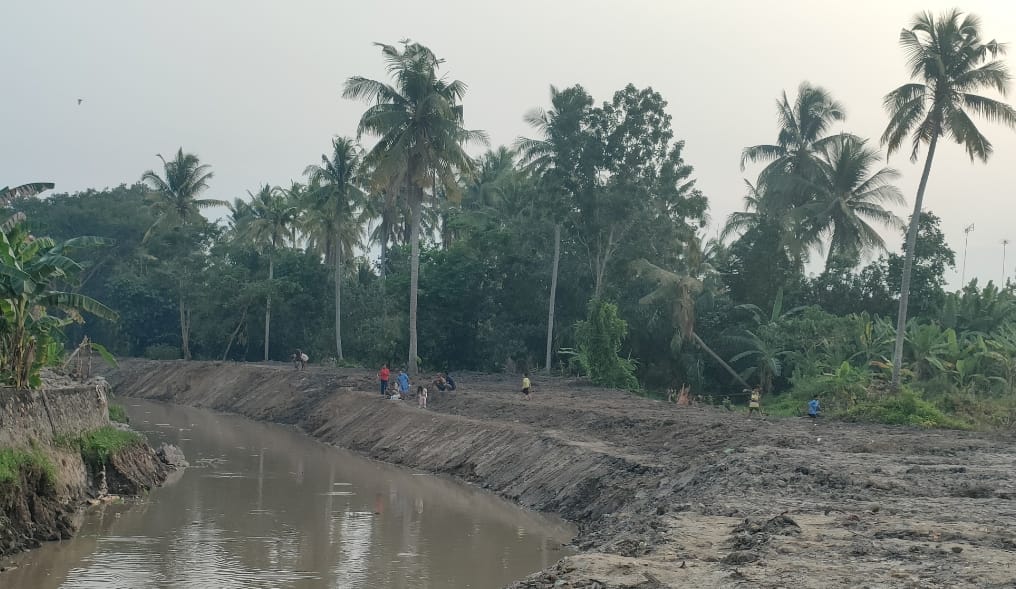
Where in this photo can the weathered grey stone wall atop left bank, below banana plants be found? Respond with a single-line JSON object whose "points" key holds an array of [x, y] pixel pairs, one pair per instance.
{"points": [[41, 415]]}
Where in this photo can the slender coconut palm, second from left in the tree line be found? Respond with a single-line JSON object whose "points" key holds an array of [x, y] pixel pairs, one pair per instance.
{"points": [[272, 219]]}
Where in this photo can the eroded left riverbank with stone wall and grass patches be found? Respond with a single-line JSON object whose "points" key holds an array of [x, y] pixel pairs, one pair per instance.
{"points": [[59, 452]]}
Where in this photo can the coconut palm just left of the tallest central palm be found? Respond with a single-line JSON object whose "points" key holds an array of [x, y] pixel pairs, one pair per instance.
{"points": [[335, 218]]}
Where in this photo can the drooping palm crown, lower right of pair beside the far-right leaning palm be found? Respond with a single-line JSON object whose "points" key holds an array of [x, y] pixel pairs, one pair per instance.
{"points": [[847, 198]]}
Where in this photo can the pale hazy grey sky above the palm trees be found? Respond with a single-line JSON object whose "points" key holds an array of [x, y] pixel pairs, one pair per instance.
{"points": [[255, 88]]}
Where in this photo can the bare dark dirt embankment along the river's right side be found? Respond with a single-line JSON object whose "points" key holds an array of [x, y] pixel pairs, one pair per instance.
{"points": [[664, 497]]}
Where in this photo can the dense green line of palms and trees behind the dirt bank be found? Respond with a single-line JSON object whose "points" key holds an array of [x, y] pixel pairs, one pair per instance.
{"points": [[581, 248]]}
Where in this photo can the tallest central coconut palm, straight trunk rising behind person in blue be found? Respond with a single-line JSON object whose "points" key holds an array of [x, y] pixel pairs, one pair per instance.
{"points": [[421, 139]]}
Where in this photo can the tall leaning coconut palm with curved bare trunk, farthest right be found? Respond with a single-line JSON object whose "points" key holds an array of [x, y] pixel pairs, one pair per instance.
{"points": [[951, 60]]}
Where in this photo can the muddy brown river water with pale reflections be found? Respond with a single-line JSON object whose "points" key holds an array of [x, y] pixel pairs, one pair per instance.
{"points": [[264, 506]]}
